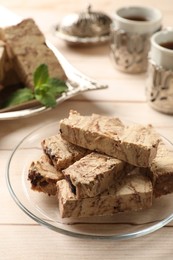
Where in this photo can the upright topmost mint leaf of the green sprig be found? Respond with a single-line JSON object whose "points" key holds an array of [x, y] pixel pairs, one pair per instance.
{"points": [[41, 75]]}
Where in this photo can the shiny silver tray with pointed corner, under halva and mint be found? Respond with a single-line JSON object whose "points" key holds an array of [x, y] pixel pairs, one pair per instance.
{"points": [[76, 82]]}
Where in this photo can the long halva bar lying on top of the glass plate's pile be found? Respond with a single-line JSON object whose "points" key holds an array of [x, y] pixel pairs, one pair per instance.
{"points": [[135, 144]]}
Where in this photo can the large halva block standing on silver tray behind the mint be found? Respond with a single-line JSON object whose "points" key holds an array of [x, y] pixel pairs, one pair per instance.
{"points": [[26, 48]]}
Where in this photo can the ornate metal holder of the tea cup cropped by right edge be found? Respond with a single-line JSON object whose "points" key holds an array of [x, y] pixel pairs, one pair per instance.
{"points": [[159, 88]]}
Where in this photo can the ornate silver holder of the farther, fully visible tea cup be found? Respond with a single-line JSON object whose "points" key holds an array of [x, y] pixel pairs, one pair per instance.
{"points": [[129, 51]]}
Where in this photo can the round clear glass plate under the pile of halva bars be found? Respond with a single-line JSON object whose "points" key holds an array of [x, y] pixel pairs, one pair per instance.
{"points": [[44, 209]]}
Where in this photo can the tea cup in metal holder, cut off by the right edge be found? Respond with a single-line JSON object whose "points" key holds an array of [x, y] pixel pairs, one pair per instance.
{"points": [[159, 85]]}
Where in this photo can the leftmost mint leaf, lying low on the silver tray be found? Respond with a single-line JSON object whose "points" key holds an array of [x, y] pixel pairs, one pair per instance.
{"points": [[19, 96]]}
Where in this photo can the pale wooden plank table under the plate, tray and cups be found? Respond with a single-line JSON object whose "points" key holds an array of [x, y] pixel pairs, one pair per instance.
{"points": [[21, 237]]}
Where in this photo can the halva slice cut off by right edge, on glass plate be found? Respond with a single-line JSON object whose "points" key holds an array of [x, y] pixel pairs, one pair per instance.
{"points": [[162, 171]]}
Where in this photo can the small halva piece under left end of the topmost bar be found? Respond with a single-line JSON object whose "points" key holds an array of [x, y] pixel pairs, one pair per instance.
{"points": [[61, 152]]}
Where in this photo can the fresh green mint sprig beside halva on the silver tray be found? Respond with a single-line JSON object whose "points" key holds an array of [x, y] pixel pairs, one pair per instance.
{"points": [[46, 89]]}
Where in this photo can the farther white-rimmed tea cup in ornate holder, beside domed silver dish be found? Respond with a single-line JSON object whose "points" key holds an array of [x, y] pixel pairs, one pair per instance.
{"points": [[130, 37]]}
